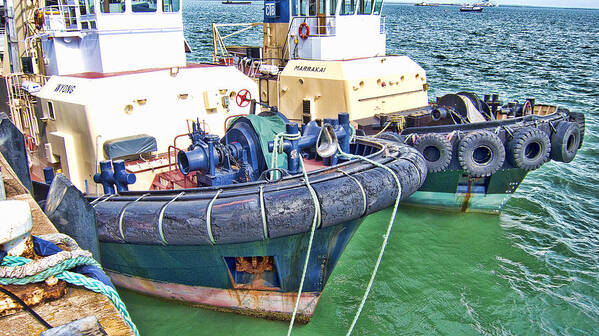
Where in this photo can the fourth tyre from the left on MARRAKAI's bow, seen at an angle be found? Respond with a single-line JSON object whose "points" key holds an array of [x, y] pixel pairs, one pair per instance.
{"points": [[565, 141]]}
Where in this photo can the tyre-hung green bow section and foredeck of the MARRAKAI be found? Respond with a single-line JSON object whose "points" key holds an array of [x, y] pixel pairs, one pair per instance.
{"points": [[478, 152]]}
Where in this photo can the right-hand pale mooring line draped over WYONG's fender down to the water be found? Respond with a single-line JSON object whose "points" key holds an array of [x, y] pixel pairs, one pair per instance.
{"points": [[385, 237]]}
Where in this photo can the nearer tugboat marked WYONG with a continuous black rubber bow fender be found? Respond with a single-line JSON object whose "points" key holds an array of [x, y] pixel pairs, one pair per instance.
{"points": [[198, 197]]}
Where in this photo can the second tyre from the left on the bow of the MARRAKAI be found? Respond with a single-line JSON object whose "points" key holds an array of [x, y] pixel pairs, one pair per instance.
{"points": [[481, 153]]}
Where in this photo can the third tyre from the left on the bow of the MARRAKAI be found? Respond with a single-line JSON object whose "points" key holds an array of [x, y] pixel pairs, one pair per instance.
{"points": [[529, 148]]}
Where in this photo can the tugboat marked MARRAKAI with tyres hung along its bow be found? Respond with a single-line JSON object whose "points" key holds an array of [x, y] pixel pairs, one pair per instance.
{"points": [[310, 66]]}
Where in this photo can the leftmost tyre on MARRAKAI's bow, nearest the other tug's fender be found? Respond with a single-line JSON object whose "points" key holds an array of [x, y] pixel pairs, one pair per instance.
{"points": [[436, 149]]}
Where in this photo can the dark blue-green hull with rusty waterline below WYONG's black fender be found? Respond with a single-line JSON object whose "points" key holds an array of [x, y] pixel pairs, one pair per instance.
{"points": [[208, 277]]}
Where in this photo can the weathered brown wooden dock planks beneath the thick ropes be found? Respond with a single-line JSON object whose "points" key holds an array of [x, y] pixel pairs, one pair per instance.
{"points": [[76, 304]]}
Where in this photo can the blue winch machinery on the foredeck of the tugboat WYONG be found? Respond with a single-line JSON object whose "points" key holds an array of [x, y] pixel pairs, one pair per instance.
{"points": [[244, 153]]}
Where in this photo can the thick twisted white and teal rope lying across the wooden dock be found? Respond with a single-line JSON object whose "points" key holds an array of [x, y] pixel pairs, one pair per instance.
{"points": [[21, 271]]}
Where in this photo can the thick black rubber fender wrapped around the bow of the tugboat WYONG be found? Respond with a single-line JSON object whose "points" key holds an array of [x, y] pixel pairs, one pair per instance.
{"points": [[158, 217]]}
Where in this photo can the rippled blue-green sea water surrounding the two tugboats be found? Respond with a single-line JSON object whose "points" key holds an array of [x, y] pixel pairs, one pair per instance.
{"points": [[532, 270]]}
